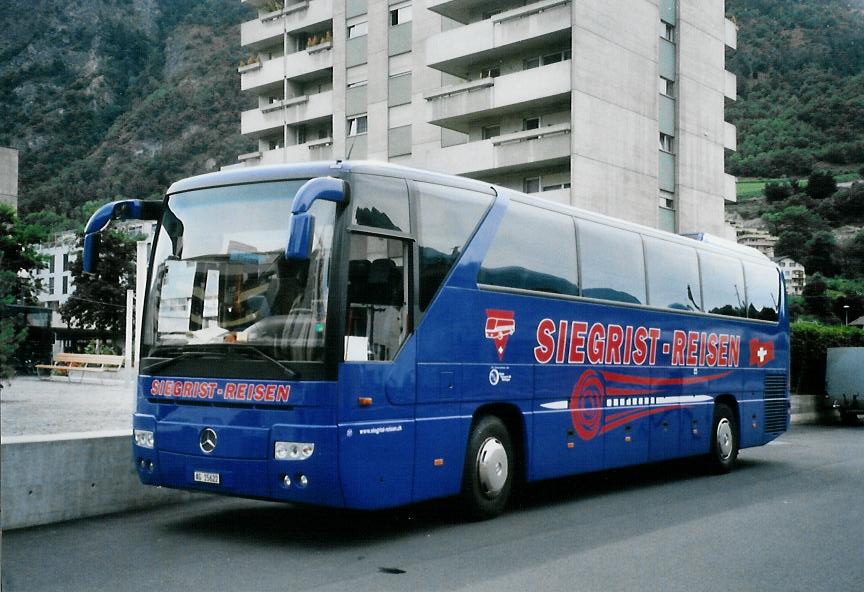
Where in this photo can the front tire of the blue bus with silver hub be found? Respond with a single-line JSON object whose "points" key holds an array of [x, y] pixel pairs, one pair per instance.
{"points": [[487, 479]]}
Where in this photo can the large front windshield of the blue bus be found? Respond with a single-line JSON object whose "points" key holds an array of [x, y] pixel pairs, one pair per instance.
{"points": [[221, 282]]}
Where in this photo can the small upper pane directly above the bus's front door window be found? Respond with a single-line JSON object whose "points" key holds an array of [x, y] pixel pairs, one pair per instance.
{"points": [[380, 202]]}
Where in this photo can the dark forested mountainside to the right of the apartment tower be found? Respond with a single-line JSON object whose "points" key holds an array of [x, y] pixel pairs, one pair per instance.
{"points": [[800, 68]]}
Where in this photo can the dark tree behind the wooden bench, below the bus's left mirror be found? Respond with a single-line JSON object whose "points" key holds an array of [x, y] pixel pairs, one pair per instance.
{"points": [[99, 299]]}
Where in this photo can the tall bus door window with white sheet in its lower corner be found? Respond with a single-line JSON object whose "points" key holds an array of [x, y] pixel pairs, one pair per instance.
{"points": [[377, 320]]}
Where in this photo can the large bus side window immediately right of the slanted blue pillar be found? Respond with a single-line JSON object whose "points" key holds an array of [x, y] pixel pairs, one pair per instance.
{"points": [[534, 249]]}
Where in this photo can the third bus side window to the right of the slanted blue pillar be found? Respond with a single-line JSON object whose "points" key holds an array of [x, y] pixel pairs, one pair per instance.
{"points": [[673, 275]]}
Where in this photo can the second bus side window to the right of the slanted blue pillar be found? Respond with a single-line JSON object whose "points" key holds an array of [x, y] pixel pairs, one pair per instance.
{"points": [[612, 263]]}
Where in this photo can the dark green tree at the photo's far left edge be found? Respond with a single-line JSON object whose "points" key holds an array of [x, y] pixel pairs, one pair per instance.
{"points": [[18, 258]]}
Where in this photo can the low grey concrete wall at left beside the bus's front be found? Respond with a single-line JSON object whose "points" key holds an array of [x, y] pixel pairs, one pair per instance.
{"points": [[49, 479]]}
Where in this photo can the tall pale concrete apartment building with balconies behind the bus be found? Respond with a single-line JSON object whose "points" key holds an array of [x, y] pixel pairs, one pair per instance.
{"points": [[616, 106]]}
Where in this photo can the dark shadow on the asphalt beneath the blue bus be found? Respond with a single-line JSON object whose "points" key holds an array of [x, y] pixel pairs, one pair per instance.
{"points": [[318, 528]]}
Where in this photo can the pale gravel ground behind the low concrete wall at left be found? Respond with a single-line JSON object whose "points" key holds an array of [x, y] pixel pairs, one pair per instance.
{"points": [[30, 406]]}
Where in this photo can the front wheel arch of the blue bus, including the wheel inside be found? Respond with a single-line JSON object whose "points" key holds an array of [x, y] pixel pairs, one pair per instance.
{"points": [[494, 460]]}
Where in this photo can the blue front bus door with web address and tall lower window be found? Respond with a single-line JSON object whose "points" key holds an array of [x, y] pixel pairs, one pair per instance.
{"points": [[377, 383]]}
